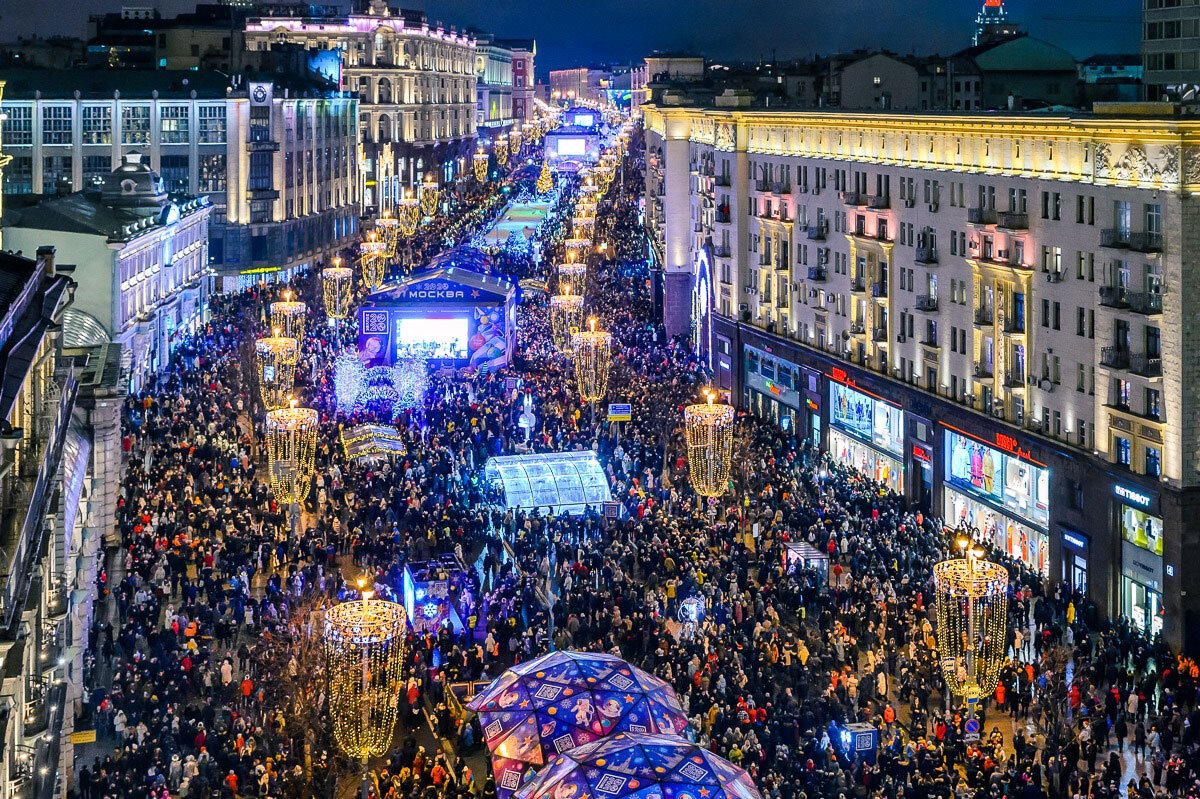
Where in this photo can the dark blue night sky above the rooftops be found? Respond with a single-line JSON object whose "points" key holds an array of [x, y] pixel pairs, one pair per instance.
{"points": [[573, 33]]}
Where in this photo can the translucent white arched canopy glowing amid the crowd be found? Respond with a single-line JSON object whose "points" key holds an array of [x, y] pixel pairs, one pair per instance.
{"points": [[565, 482]]}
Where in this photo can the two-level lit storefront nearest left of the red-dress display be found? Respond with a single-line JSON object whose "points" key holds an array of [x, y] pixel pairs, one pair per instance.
{"points": [[867, 434]]}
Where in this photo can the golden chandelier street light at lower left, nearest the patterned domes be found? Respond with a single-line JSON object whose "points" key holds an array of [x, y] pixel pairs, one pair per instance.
{"points": [[365, 659]]}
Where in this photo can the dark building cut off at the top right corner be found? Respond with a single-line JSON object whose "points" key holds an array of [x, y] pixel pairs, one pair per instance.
{"points": [[1171, 49]]}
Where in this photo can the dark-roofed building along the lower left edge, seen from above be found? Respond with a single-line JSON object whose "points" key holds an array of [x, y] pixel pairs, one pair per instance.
{"points": [[51, 527]]}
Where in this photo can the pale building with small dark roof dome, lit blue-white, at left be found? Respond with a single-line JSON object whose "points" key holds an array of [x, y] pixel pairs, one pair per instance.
{"points": [[143, 281]]}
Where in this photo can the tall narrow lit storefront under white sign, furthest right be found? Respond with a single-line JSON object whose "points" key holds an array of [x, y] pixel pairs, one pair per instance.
{"points": [[1142, 558]]}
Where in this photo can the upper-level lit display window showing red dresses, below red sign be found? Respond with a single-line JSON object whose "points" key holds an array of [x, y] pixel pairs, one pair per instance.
{"points": [[1004, 479]]}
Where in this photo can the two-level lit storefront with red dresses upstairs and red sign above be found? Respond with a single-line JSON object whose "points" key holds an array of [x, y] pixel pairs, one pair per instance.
{"points": [[1001, 496]]}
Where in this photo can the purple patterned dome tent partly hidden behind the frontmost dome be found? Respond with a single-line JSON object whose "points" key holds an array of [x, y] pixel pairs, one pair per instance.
{"points": [[563, 700]]}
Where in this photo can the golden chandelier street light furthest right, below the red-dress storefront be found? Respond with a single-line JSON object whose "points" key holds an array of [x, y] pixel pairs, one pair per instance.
{"points": [[971, 599]]}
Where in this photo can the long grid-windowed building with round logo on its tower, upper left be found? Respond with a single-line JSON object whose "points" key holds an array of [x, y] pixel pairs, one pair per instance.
{"points": [[278, 160]]}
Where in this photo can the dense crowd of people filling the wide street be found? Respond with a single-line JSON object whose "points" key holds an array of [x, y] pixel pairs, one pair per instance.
{"points": [[196, 687]]}
